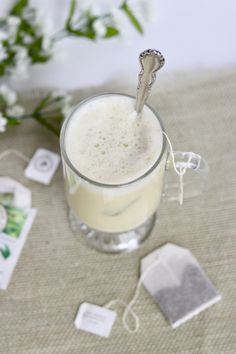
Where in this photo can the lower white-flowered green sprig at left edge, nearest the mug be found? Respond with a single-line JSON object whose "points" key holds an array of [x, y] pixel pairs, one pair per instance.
{"points": [[49, 112]]}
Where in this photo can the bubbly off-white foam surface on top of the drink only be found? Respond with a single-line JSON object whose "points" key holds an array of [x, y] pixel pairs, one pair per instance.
{"points": [[107, 143]]}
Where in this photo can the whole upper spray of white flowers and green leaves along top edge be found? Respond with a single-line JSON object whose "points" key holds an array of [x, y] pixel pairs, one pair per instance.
{"points": [[24, 40]]}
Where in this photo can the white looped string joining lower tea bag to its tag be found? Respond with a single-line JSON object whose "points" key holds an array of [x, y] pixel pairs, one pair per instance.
{"points": [[128, 307]]}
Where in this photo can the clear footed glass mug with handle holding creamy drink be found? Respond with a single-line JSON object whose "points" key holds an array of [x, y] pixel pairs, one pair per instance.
{"points": [[118, 217]]}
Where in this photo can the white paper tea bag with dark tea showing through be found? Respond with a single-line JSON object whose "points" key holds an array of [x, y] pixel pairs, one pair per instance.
{"points": [[177, 283]]}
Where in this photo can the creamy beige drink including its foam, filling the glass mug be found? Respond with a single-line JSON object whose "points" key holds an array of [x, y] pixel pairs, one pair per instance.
{"points": [[108, 144]]}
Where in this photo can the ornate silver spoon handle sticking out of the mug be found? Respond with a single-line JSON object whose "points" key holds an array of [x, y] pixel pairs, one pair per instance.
{"points": [[151, 60]]}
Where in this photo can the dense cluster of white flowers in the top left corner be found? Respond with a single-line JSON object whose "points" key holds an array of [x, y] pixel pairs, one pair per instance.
{"points": [[22, 41]]}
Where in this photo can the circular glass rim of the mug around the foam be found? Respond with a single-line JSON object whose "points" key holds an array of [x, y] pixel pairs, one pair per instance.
{"points": [[79, 174]]}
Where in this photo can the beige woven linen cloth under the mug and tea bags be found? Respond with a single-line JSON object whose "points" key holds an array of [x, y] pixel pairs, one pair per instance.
{"points": [[57, 271]]}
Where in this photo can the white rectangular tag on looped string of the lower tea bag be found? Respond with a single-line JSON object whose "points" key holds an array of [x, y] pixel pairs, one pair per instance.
{"points": [[95, 319]]}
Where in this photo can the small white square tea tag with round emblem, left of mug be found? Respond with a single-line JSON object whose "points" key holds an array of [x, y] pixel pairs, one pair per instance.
{"points": [[42, 166]]}
